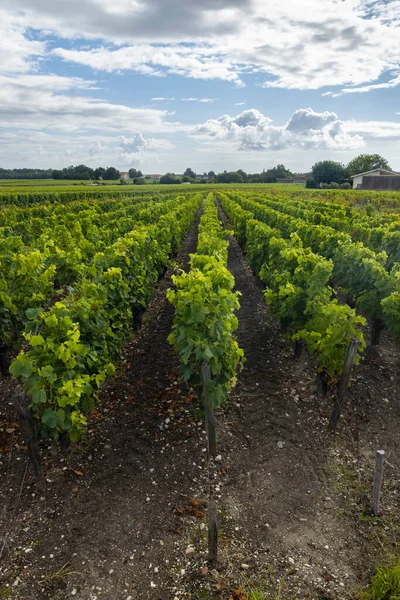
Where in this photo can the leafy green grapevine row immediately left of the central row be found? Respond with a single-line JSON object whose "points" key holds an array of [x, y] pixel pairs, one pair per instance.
{"points": [[71, 345]]}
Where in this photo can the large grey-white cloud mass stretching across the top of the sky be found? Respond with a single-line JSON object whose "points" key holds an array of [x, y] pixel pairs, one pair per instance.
{"points": [[305, 45]]}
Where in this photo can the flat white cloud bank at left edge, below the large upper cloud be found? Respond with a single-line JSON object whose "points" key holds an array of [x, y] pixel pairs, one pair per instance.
{"points": [[49, 102]]}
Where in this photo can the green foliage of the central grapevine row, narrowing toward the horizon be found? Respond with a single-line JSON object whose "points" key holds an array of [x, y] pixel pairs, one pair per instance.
{"points": [[204, 301]]}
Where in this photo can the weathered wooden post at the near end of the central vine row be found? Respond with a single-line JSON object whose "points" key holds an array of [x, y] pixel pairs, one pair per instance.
{"points": [[212, 451]]}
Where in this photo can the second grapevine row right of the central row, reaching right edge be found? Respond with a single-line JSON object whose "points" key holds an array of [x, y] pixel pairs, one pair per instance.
{"points": [[358, 271]]}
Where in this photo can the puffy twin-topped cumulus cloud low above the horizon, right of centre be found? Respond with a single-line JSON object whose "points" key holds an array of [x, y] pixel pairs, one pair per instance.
{"points": [[251, 130]]}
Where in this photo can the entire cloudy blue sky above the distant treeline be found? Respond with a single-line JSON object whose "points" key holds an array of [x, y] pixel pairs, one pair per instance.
{"points": [[162, 85]]}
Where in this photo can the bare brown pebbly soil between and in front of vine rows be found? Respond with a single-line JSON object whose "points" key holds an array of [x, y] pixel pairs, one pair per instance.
{"points": [[124, 517]]}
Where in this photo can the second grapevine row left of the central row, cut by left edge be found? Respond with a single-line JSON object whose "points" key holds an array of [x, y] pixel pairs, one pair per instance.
{"points": [[36, 270]]}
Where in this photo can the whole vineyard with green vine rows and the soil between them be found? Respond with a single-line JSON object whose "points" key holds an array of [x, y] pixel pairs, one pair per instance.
{"points": [[194, 384]]}
